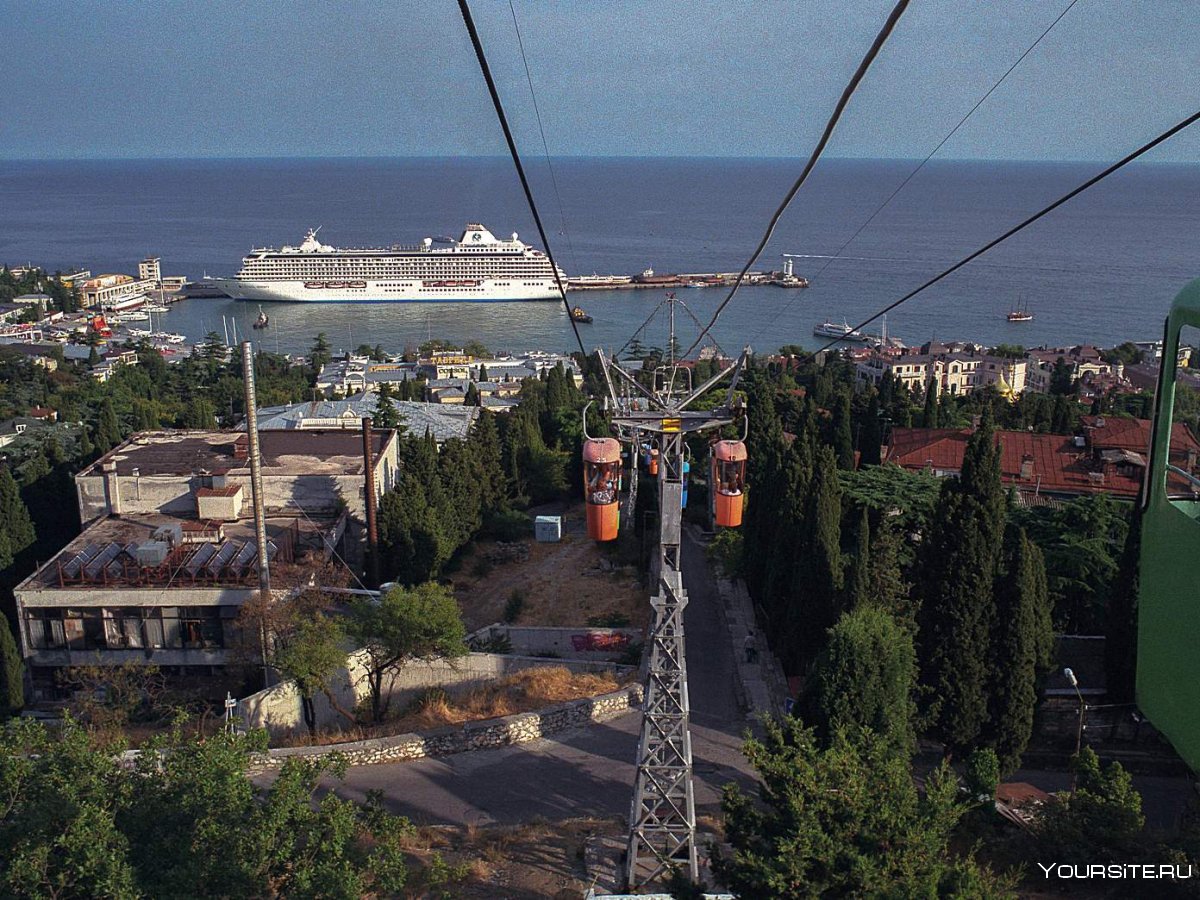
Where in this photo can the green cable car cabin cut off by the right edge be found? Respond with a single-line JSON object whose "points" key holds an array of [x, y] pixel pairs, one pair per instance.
{"points": [[1168, 603]]}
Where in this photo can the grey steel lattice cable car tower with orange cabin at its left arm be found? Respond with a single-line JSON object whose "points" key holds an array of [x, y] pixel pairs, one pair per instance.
{"points": [[663, 820]]}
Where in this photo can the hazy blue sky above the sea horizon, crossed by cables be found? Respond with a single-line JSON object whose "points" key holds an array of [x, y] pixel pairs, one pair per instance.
{"points": [[231, 79]]}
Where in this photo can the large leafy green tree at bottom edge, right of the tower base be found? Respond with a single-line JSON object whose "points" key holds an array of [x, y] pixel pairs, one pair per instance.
{"points": [[843, 821]]}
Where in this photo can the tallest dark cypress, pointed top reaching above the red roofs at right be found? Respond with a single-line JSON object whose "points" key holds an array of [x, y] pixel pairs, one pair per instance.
{"points": [[958, 565]]}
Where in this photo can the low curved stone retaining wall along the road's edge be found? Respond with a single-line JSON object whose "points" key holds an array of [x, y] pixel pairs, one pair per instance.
{"points": [[483, 735]]}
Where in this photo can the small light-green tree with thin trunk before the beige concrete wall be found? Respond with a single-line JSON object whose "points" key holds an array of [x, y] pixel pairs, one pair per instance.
{"points": [[404, 625]]}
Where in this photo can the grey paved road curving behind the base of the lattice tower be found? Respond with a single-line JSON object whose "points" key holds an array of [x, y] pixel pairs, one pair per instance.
{"points": [[586, 772]]}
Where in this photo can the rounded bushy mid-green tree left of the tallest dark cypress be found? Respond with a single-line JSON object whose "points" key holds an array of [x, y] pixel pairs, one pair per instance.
{"points": [[865, 680]]}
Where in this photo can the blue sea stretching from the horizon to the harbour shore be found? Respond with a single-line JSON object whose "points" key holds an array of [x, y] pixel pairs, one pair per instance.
{"points": [[1102, 269]]}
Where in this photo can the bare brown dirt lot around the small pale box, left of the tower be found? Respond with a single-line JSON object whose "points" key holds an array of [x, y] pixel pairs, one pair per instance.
{"points": [[563, 584]]}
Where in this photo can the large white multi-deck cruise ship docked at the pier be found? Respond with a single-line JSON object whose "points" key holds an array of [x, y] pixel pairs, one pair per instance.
{"points": [[478, 267]]}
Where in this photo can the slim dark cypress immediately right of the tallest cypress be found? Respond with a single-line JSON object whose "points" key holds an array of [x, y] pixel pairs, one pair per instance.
{"points": [[1016, 647]]}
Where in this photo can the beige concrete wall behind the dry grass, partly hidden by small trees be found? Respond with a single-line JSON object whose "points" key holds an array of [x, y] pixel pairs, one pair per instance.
{"points": [[279, 711]]}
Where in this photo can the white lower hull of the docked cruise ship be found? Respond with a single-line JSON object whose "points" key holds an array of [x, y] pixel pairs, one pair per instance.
{"points": [[386, 292]]}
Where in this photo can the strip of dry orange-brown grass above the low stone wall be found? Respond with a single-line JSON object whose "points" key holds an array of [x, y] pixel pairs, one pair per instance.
{"points": [[521, 693]]}
